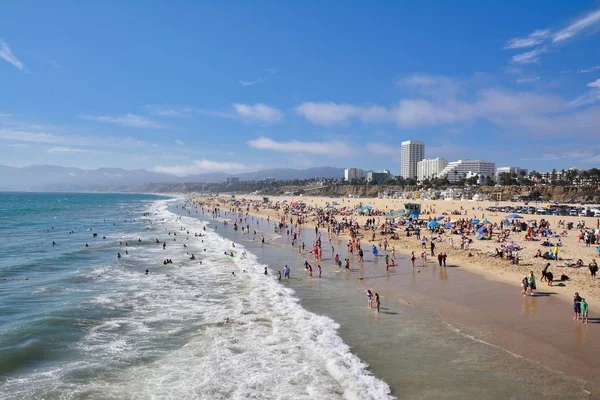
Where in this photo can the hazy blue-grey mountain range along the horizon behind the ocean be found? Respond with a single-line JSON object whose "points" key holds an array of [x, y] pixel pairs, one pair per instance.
{"points": [[52, 177]]}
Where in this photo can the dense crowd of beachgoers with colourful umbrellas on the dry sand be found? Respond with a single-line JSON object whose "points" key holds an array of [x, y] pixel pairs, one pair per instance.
{"points": [[380, 228]]}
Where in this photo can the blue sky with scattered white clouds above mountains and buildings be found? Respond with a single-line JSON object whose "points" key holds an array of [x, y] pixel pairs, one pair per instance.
{"points": [[191, 87]]}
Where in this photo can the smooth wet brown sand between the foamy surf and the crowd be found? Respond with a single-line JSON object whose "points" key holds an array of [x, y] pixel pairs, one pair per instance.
{"points": [[440, 328]]}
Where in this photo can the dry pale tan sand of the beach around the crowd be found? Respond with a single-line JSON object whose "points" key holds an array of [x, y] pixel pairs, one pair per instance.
{"points": [[480, 261]]}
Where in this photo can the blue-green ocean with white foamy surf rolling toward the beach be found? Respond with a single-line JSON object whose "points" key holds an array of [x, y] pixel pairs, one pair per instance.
{"points": [[79, 323]]}
